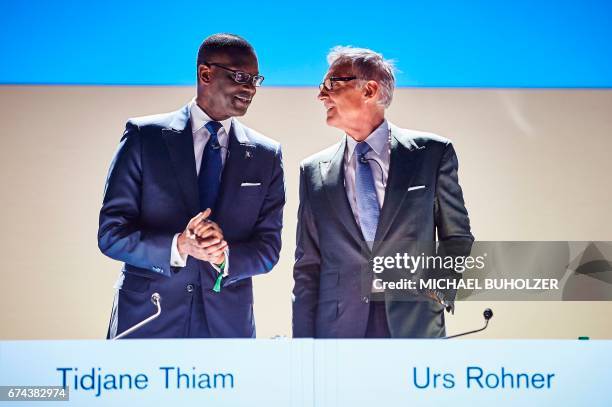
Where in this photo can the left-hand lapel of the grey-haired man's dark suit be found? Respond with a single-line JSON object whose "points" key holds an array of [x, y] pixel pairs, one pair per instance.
{"points": [[332, 176]]}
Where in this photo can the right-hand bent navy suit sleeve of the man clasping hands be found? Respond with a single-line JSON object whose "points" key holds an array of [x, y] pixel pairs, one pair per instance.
{"points": [[260, 252]]}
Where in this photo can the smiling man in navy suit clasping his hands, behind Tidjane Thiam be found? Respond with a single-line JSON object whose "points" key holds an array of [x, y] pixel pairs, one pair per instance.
{"points": [[193, 206]]}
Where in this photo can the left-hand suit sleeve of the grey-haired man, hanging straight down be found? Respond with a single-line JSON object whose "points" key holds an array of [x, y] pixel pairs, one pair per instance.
{"points": [[307, 267]]}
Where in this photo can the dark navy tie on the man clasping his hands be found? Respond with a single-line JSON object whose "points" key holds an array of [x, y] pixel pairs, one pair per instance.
{"points": [[209, 178]]}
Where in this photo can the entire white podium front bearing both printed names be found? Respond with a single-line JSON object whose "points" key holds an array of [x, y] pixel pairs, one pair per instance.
{"points": [[322, 373]]}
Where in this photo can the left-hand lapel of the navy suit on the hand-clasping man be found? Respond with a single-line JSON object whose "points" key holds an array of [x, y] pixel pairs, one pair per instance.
{"points": [[179, 141]]}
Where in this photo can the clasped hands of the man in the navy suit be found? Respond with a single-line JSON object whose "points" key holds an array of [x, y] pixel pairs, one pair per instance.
{"points": [[210, 249]]}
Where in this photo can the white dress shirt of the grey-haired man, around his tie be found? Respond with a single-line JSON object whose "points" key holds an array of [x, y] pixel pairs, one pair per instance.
{"points": [[378, 157]]}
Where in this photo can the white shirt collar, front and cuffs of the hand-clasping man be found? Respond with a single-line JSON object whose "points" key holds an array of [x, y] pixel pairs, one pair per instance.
{"points": [[201, 135]]}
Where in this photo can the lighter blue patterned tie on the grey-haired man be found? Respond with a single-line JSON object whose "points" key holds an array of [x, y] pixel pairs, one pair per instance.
{"points": [[365, 190]]}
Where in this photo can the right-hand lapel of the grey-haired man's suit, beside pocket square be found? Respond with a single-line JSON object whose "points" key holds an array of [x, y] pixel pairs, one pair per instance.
{"points": [[404, 161]]}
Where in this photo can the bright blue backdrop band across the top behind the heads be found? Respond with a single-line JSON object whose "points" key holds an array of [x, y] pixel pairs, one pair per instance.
{"points": [[443, 44]]}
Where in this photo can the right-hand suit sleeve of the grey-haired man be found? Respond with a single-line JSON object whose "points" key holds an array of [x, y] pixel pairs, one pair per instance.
{"points": [[451, 218]]}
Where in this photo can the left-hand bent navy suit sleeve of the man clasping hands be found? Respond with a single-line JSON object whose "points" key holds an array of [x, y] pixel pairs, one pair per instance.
{"points": [[120, 235]]}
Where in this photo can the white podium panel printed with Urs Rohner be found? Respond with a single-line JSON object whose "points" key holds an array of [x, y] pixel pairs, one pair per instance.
{"points": [[463, 372]]}
